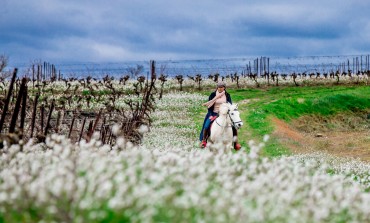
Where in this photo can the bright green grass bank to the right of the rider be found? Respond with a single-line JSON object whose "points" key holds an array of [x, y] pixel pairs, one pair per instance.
{"points": [[288, 103]]}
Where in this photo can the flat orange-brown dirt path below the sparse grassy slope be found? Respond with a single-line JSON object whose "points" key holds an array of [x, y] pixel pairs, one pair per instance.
{"points": [[341, 143]]}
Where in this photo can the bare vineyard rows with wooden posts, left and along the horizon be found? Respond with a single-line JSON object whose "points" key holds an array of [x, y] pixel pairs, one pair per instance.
{"points": [[79, 107]]}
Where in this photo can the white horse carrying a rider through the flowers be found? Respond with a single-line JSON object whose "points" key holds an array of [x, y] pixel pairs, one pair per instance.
{"points": [[221, 129]]}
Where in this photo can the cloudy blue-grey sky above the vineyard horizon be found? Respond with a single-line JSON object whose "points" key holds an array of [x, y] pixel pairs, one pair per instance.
{"points": [[60, 31]]}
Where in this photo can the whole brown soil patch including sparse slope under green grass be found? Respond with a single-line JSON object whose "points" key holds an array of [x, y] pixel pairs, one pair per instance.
{"points": [[345, 135]]}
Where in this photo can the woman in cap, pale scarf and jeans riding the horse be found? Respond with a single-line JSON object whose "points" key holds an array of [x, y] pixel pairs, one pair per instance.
{"points": [[215, 100]]}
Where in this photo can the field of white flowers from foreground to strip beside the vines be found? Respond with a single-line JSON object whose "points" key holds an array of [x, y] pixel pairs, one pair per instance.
{"points": [[168, 179]]}
